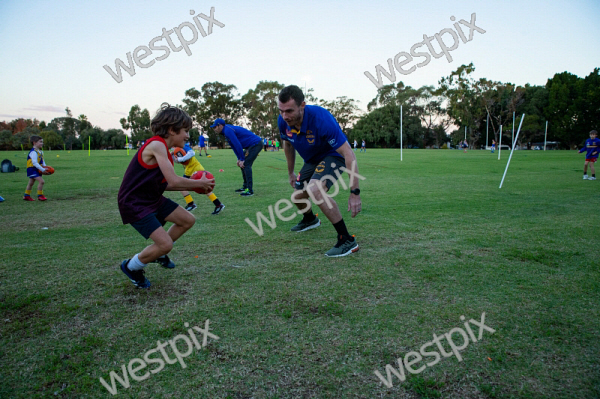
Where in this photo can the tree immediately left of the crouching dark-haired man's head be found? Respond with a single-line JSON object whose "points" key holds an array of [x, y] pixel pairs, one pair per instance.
{"points": [[261, 108]]}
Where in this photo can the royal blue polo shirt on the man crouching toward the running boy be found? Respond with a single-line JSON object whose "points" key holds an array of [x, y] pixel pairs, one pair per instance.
{"points": [[319, 136]]}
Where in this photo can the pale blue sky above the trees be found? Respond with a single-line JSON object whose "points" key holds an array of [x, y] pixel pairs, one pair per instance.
{"points": [[53, 52]]}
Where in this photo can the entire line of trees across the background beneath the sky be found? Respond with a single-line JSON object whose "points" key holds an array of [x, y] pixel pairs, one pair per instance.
{"points": [[432, 116]]}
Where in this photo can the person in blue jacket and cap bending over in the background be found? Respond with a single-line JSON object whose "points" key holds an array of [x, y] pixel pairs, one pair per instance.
{"points": [[246, 146]]}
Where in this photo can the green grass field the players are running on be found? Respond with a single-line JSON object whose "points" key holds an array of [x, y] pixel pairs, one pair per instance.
{"points": [[438, 240]]}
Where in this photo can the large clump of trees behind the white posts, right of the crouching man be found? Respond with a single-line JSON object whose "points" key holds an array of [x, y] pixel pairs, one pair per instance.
{"points": [[435, 115]]}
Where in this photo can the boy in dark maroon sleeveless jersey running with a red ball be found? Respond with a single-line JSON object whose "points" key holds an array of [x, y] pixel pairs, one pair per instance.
{"points": [[141, 200]]}
